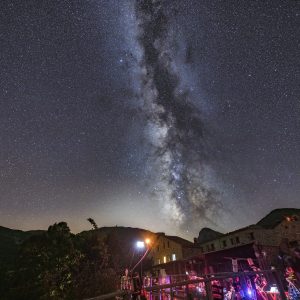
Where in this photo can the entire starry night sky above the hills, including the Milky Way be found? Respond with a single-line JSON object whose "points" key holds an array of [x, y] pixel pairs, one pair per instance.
{"points": [[165, 115]]}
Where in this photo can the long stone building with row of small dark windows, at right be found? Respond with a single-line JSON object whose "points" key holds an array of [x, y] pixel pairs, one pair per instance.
{"points": [[261, 242]]}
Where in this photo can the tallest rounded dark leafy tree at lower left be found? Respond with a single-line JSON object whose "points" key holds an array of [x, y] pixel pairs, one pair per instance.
{"points": [[45, 266]]}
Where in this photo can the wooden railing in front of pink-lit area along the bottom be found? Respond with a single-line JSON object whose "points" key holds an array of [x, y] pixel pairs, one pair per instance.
{"points": [[183, 289]]}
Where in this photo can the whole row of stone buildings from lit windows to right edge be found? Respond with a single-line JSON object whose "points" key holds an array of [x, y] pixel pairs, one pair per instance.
{"points": [[214, 252]]}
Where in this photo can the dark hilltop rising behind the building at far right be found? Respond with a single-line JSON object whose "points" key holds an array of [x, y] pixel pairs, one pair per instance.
{"points": [[276, 216]]}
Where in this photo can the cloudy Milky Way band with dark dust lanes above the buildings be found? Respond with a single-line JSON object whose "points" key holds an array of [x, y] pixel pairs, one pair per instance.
{"points": [[175, 129]]}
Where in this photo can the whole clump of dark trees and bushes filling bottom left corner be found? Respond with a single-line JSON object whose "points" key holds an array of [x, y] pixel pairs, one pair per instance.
{"points": [[59, 265]]}
